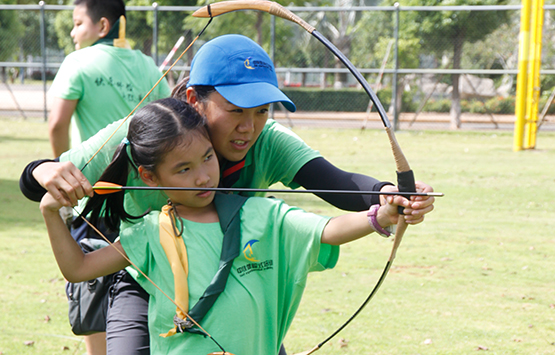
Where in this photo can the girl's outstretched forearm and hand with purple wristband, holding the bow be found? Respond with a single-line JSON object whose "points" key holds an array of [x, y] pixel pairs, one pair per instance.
{"points": [[352, 226]]}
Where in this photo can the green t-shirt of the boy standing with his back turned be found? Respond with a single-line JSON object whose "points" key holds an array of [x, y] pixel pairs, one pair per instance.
{"points": [[108, 82]]}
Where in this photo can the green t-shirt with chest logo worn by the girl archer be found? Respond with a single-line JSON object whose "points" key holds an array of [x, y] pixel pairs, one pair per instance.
{"points": [[281, 244]]}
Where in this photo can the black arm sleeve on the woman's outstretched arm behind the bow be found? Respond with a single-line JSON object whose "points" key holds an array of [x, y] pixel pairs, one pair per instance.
{"points": [[322, 175]]}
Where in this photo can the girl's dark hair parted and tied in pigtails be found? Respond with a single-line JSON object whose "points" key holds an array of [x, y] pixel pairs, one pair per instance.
{"points": [[154, 130]]}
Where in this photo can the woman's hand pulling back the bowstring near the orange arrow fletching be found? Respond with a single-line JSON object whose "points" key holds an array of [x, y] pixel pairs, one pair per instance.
{"points": [[63, 181]]}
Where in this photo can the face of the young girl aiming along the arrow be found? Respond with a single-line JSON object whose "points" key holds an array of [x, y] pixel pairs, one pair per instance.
{"points": [[193, 164]]}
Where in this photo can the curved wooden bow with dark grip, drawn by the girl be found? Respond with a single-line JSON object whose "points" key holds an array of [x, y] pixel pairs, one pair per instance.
{"points": [[405, 176]]}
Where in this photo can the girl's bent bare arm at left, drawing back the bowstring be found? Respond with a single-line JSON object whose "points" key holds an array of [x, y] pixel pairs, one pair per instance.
{"points": [[75, 265]]}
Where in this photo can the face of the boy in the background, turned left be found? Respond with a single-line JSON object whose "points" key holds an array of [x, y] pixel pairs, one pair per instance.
{"points": [[85, 32]]}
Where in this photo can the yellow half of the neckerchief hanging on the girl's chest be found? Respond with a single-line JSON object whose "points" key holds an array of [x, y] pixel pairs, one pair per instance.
{"points": [[176, 252]]}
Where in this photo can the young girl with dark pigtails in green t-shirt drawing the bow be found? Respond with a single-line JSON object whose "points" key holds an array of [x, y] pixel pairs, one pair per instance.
{"points": [[168, 145]]}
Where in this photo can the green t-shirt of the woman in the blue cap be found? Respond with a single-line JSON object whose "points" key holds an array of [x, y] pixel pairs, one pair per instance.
{"points": [[276, 156]]}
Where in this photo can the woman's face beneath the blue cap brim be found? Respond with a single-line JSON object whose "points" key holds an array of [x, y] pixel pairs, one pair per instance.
{"points": [[233, 129]]}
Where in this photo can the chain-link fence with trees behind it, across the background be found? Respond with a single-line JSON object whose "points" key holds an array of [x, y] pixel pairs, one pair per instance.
{"points": [[414, 54]]}
